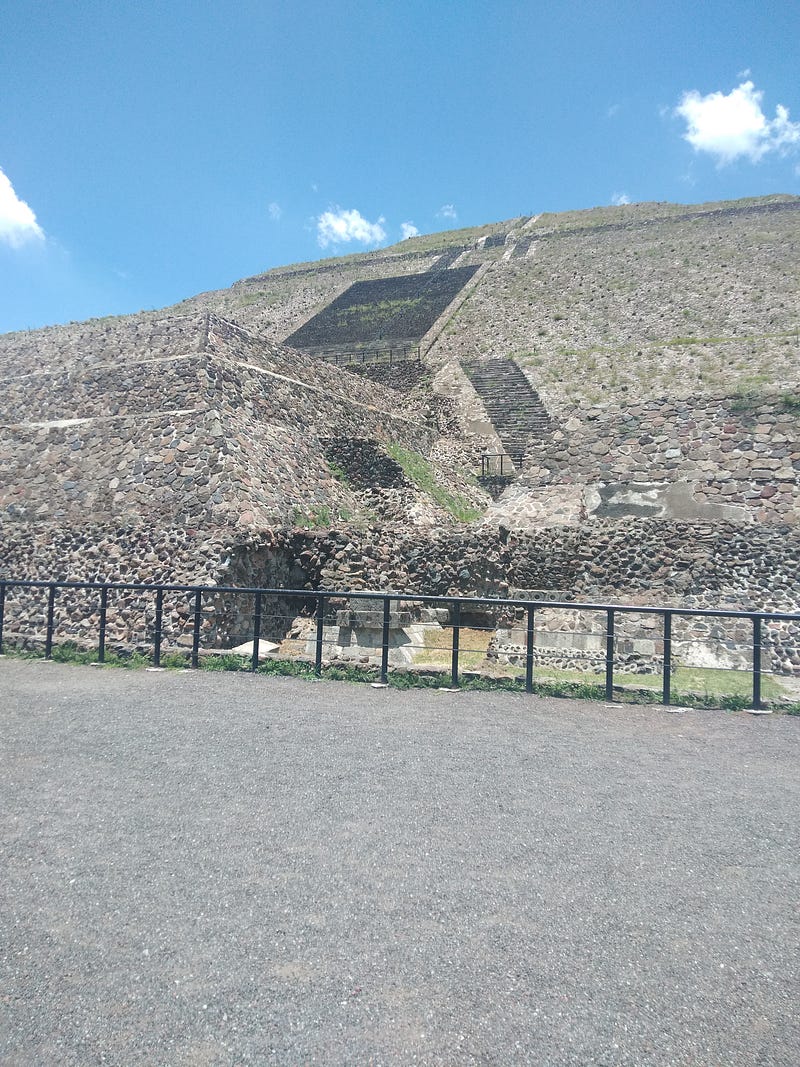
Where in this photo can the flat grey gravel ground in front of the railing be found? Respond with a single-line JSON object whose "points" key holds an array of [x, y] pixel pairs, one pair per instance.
{"points": [[204, 869]]}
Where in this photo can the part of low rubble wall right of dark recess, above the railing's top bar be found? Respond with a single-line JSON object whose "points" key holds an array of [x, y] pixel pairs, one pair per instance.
{"points": [[705, 565]]}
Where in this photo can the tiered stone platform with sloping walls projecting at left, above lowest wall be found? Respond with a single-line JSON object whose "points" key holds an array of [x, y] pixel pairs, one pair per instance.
{"points": [[229, 433]]}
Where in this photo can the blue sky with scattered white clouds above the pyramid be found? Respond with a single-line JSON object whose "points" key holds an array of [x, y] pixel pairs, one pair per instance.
{"points": [[153, 151]]}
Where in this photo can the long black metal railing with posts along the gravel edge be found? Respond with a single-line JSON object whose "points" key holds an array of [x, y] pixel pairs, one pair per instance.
{"points": [[321, 599]]}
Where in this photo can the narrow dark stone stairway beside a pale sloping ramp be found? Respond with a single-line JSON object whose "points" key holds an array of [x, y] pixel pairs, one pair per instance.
{"points": [[513, 404]]}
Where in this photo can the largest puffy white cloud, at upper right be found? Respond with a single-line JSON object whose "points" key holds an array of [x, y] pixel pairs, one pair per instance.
{"points": [[734, 125]]}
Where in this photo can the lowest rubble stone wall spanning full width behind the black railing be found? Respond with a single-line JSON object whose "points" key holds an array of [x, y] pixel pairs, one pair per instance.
{"points": [[642, 563]]}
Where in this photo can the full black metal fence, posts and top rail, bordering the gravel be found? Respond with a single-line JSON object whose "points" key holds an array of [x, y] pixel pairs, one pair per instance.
{"points": [[456, 604]]}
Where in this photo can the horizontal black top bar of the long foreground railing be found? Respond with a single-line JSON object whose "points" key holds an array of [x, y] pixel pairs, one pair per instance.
{"points": [[407, 598]]}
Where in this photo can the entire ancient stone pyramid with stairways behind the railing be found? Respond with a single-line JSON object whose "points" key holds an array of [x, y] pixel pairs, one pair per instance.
{"points": [[661, 465]]}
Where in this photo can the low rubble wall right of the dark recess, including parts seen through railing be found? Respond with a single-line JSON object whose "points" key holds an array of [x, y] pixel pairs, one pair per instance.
{"points": [[637, 562]]}
